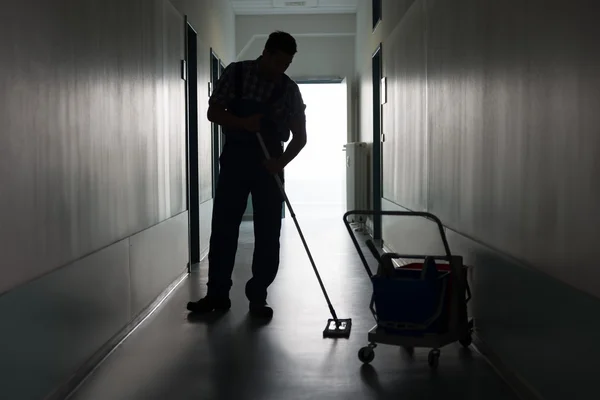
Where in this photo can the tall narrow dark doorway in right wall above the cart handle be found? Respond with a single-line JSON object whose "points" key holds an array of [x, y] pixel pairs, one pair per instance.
{"points": [[377, 142]]}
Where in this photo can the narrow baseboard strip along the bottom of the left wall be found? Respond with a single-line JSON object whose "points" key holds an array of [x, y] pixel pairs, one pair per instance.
{"points": [[65, 390]]}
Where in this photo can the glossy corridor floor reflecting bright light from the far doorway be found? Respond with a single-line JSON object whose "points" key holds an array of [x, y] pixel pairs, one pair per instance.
{"points": [[174, 357]]}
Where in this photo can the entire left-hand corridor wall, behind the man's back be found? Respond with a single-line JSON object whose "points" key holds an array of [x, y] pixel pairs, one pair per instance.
{"points": [[93, 213]]}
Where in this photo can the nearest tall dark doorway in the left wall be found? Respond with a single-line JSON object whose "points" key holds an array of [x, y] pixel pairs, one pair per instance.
{"points": [[190, 73]]}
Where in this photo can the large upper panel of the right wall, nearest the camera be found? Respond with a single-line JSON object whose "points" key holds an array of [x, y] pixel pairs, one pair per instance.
{"points": [[514, 132]]}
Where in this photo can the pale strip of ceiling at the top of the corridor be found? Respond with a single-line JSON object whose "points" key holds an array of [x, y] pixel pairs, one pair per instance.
{"points": [[281, 7]]}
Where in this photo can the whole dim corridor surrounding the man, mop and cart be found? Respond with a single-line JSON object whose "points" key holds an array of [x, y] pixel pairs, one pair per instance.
{"points": [[483, 113]]}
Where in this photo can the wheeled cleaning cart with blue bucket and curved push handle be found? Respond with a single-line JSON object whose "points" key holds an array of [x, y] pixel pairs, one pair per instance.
{"points": [[418, 301]]}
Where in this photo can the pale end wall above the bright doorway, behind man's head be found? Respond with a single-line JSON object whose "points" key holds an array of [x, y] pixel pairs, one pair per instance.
{"points": [[326, 43]]}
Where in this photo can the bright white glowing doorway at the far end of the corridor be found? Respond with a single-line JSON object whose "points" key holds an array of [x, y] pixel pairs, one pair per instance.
{"points": [[315, 180]]}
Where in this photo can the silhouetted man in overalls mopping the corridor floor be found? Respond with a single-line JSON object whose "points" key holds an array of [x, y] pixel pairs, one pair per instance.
{"points": [[252, 96]]}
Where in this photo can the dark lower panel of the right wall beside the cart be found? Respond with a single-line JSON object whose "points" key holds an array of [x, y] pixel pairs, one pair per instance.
{"points": [[538, 327]]}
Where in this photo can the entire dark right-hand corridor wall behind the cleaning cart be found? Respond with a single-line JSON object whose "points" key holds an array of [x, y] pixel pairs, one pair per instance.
{"points": [[492, 124]]}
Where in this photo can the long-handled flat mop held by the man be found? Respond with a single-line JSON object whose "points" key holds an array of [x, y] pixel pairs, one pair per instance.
{"points": [[336, 327]]}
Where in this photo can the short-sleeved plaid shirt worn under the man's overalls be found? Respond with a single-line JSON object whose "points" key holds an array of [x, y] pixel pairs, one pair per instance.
{"points": [[256, 88]]}
